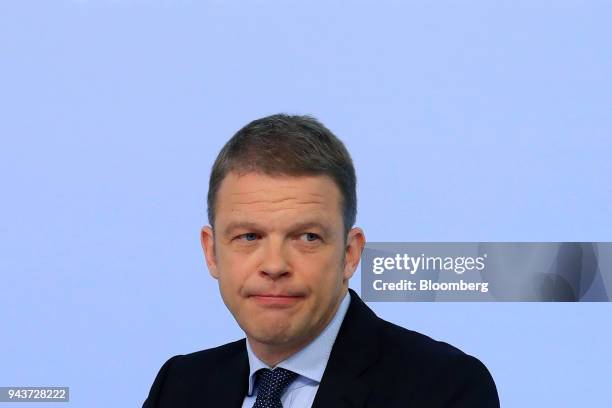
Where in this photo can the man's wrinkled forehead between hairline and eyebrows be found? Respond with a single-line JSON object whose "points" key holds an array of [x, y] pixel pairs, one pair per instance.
{"points": [[269, 199]]}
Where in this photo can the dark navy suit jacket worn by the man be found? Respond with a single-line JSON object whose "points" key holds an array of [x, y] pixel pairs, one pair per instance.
{"points": [[373, 363]]}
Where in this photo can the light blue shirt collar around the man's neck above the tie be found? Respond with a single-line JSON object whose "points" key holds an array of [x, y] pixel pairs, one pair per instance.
{"points": [[309, 362]]}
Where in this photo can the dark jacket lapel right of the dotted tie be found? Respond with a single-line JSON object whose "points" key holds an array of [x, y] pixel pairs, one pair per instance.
{"points": [[356, 348]]}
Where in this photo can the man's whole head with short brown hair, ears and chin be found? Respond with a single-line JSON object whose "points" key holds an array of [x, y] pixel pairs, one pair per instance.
{"points": [[281, 204]]}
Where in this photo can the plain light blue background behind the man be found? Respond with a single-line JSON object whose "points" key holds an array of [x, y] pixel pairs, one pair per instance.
{"points": [[467, 121]]}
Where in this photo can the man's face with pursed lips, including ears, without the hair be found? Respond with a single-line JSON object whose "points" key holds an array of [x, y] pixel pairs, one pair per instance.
{"points": [[280, 255]]}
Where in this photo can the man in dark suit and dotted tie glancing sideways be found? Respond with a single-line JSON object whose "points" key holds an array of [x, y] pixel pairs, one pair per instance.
{"points": [[281, 243]]}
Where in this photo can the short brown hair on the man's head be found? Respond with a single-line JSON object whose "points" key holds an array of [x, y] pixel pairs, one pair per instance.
{"points": [[283, 145]]}
